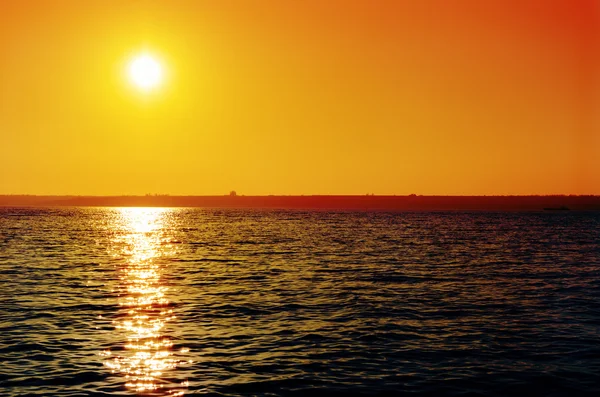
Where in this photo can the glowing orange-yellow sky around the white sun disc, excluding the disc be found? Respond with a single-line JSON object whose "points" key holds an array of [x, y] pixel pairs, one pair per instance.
{"points": [[301, 97]]}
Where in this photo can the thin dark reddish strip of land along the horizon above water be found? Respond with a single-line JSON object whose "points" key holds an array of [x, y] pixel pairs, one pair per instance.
{"points": [[381, 203]]}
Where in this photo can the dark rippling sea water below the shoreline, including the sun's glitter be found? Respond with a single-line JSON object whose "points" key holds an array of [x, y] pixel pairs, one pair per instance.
{"points": [[99, 301]]}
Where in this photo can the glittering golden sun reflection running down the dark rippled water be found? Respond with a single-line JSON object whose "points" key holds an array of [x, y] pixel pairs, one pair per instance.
{"points": [[142, 239]]}
